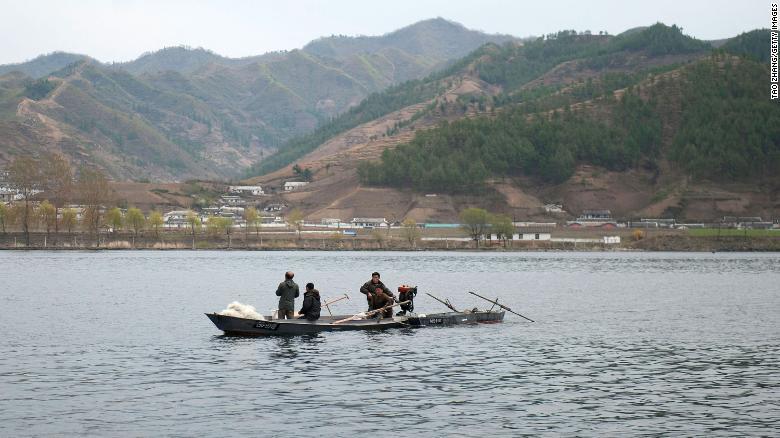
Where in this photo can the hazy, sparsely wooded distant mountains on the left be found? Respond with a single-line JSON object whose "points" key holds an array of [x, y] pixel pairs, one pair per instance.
{"points": [[183, 113]]}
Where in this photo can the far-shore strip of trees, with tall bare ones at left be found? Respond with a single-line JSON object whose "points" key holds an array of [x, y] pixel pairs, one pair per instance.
{"points": [[43, 216]]}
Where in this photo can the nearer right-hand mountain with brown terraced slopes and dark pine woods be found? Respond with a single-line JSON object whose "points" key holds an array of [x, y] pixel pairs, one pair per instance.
{"points": [[648, 122]]}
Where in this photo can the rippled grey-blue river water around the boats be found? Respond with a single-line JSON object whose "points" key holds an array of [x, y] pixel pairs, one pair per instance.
{"points": [[116, 344]]}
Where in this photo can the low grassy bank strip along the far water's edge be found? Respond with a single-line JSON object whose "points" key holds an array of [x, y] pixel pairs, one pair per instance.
{"points": [[367, 240]]}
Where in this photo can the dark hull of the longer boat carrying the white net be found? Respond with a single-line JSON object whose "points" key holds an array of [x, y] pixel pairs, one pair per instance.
{"points": [[235, 326]]}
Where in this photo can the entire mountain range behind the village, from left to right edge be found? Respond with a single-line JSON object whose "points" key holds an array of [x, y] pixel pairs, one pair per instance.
{"points": [[430, 119]]}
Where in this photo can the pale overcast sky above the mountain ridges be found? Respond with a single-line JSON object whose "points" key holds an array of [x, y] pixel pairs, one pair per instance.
{"points": [[122, 30]]}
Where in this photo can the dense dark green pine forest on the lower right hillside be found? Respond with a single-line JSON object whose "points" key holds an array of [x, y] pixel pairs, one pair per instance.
{"points": [[726, 130]]}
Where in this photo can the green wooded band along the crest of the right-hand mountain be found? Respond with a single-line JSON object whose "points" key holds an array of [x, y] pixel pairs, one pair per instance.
{"points": [[508, 68]]}
